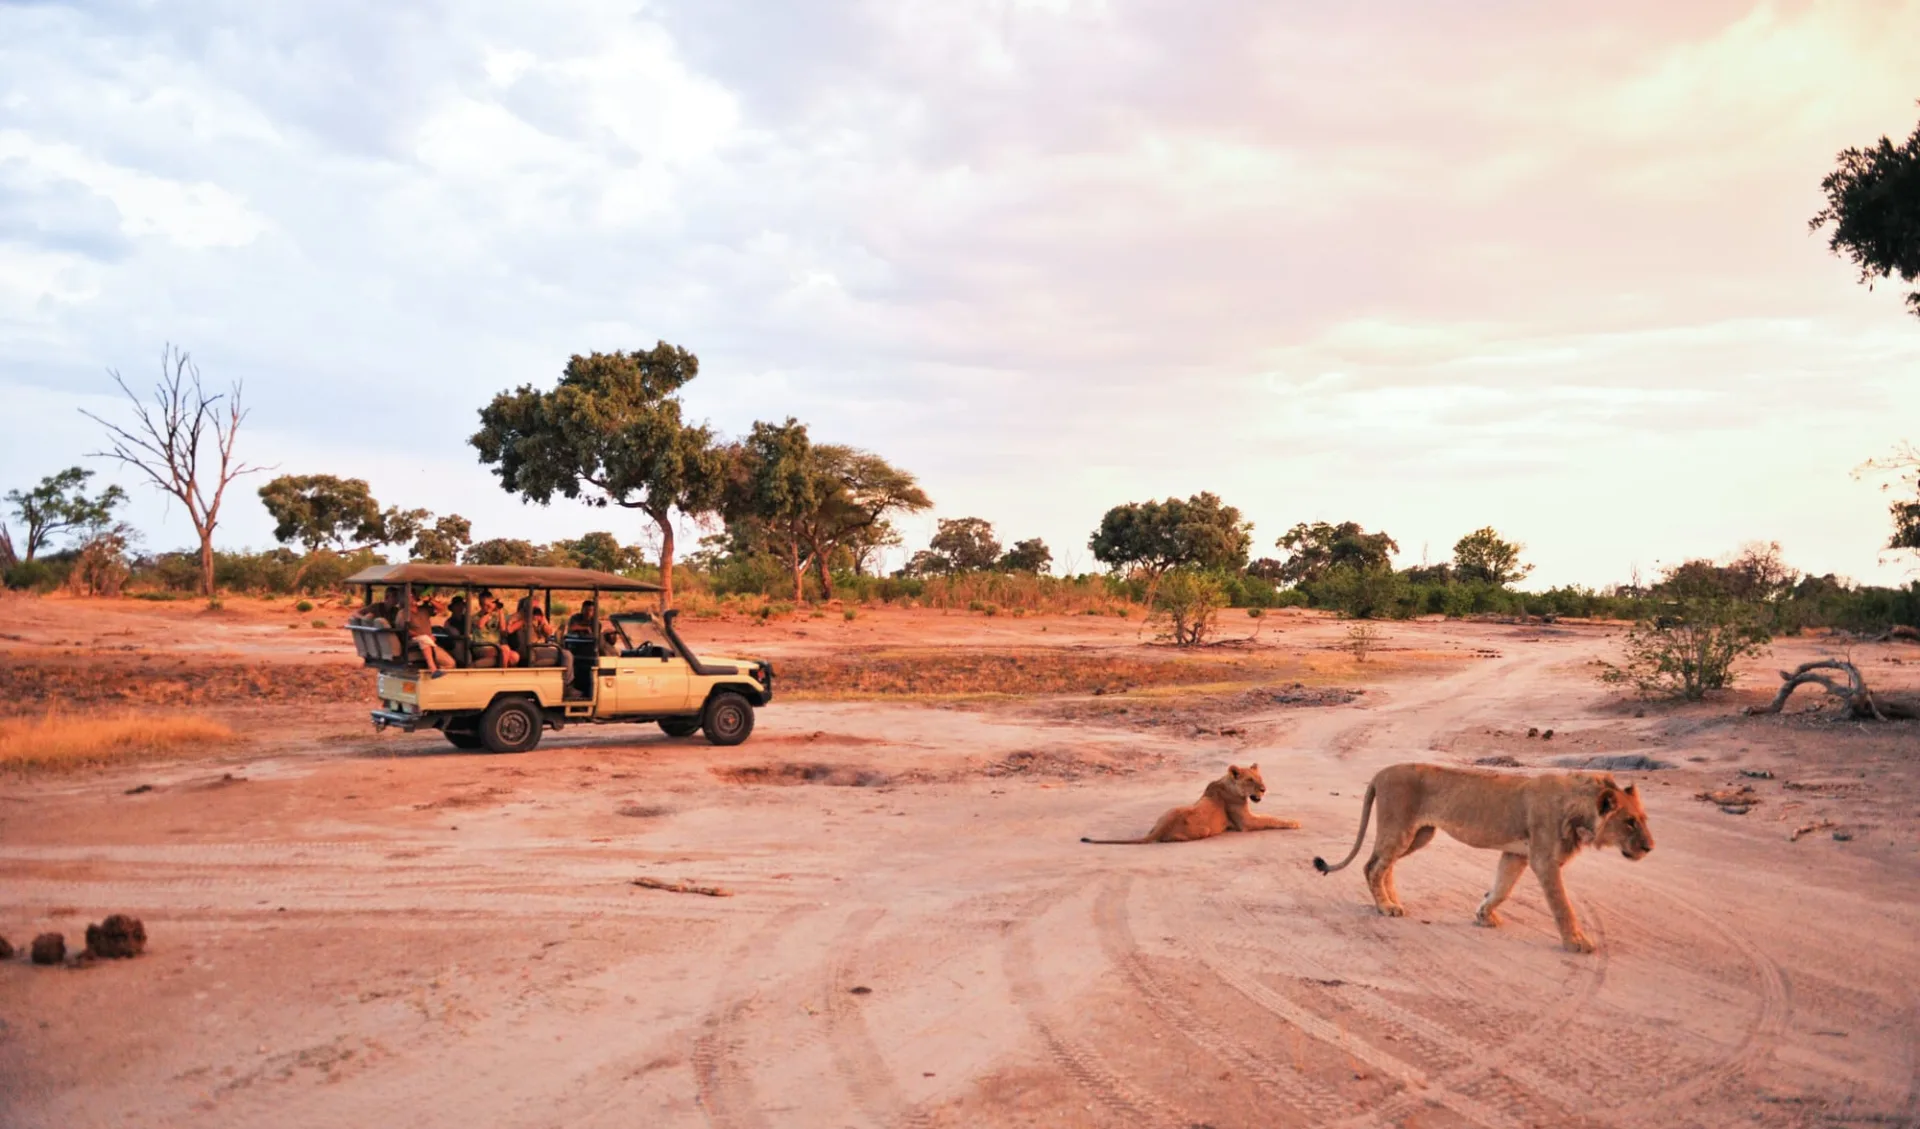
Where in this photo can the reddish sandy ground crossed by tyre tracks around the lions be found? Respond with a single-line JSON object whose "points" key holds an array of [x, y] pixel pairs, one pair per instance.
{"points": [[350, 925]]}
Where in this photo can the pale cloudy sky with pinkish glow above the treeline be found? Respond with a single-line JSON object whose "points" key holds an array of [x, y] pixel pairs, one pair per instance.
{"points": [[1420, 266]]}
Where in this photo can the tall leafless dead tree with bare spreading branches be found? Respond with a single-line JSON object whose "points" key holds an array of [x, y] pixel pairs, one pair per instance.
{"points": [[168, 439]]}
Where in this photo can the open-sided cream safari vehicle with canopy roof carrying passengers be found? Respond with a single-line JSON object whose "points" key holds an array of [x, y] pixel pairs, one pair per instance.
{"points": [[629, 667]]}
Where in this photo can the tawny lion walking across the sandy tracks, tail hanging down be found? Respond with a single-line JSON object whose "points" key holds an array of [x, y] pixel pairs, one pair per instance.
{"points": [[1533, 821]]}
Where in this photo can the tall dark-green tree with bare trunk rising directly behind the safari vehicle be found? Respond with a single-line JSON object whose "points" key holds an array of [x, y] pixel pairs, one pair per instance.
{"points": [[613, 435]]}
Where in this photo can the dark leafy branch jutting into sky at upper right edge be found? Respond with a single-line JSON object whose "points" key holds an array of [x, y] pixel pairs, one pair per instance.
{"points": [[1873, 203]]}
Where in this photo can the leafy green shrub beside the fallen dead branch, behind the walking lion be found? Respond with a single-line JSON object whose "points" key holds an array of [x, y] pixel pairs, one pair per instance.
{"points": [[1689, 650]]}
